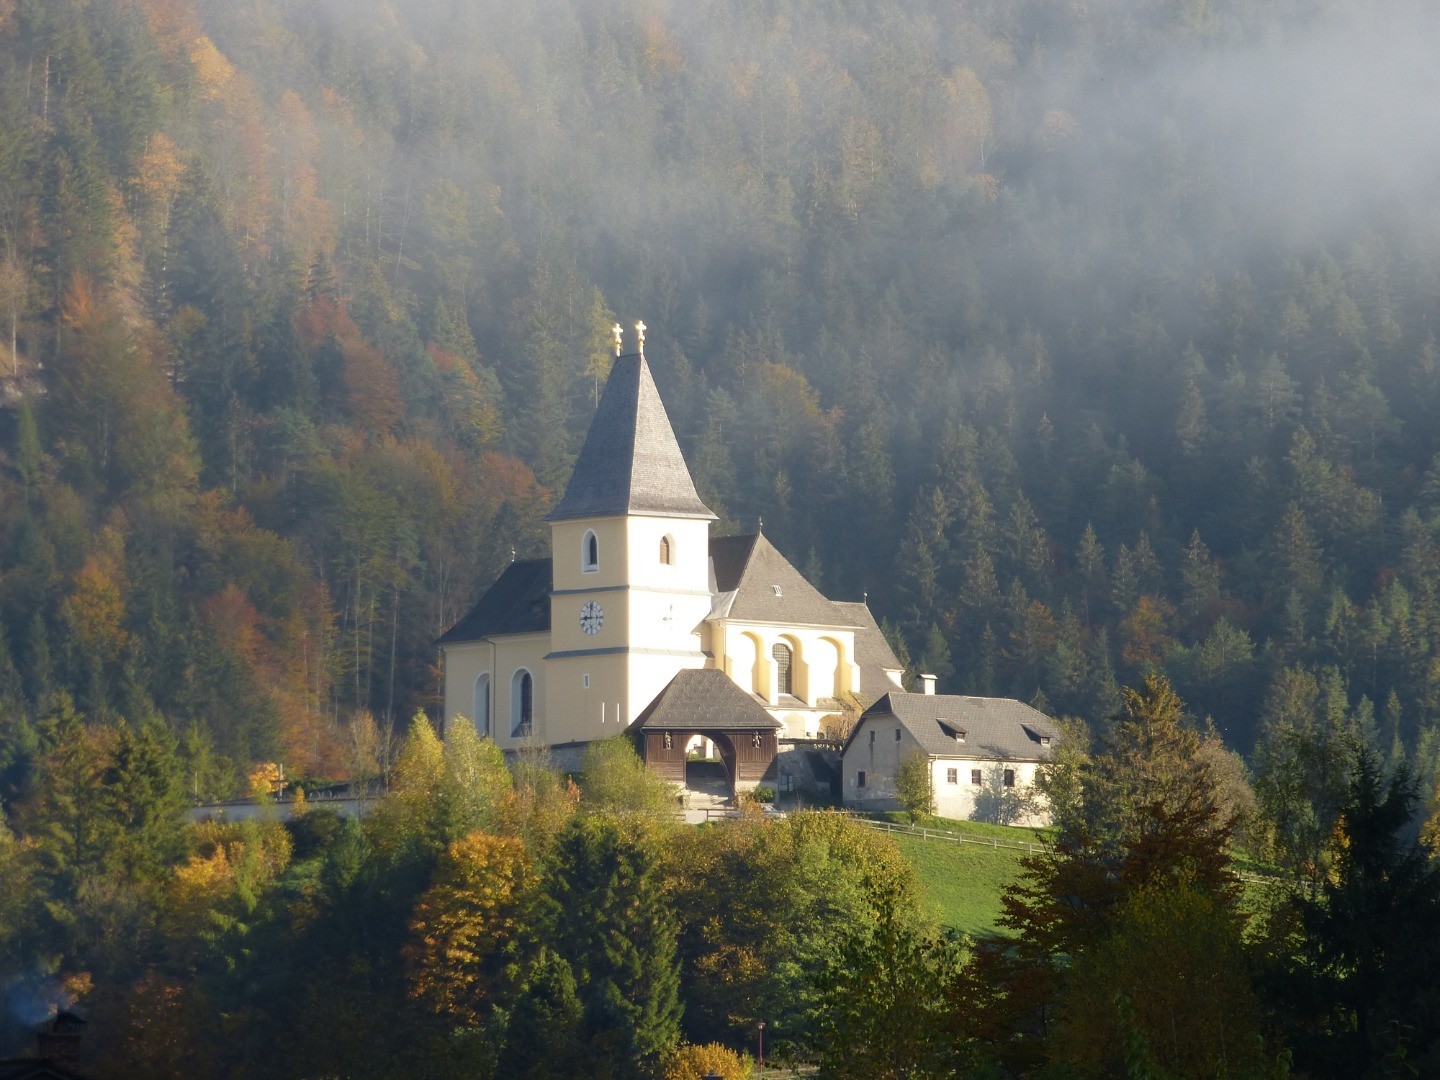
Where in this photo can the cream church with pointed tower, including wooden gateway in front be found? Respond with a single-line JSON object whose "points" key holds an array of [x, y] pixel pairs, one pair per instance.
{"points": [[643, 621]]}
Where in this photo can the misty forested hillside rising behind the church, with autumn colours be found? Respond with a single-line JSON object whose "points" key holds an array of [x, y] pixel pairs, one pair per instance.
{"points": [[1089, 341]]}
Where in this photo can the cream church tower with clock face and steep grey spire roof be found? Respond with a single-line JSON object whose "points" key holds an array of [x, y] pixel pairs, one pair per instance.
{"points": [[631, 552]]}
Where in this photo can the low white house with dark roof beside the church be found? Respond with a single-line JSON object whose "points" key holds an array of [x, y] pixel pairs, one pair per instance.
{"points": [[983, 755]]}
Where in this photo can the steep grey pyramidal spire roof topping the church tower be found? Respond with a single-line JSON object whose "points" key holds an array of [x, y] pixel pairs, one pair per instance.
{"points": [[631, 463]]}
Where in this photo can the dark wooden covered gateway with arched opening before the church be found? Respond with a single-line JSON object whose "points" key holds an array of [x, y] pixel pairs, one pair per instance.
{"points": [[708, 703]]}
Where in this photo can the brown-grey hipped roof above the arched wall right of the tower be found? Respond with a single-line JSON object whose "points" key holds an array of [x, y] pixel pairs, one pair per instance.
{"points": [[757, 584]]}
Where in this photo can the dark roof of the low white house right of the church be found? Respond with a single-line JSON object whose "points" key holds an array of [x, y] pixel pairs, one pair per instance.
{"points": [[996, 728]]}
